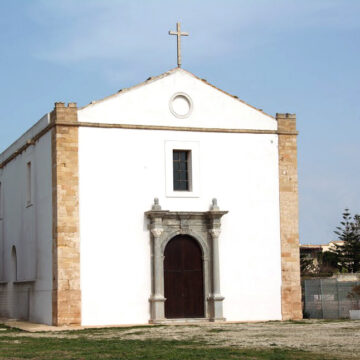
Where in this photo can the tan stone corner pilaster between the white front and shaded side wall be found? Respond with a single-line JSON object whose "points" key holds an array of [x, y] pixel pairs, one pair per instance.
{"points": [[66, 295]]}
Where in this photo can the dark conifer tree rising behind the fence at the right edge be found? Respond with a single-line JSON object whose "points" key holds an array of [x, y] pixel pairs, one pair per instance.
{"points": [[348, 252]]}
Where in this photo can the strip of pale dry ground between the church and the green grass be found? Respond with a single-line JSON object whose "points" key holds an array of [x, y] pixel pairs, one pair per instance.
{"points": [[337, 338]]}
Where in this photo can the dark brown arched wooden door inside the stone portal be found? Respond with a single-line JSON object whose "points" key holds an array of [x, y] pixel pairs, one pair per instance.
{"points": [[183, 278]]}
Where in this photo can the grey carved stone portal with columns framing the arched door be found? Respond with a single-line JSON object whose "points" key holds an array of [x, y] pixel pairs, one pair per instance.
{"points": [[205, 227]]}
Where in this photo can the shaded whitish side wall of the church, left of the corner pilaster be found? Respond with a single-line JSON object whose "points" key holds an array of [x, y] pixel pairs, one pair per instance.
{"points": [[29, 228]]}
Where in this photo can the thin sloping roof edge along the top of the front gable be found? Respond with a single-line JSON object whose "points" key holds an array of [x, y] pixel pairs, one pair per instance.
{"points": [[152, 79]]}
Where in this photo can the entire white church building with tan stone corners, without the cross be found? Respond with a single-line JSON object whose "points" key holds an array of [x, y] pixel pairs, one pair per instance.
{"points": [[166, 201]]}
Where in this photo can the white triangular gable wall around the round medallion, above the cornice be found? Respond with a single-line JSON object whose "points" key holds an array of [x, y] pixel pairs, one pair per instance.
{"points": [[149, 105]]}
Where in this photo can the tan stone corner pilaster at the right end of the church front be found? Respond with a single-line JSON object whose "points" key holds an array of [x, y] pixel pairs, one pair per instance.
{"points": [[289, 215]]}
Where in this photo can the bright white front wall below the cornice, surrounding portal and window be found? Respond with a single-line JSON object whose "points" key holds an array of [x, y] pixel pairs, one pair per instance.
{"points": [[121, 171]]}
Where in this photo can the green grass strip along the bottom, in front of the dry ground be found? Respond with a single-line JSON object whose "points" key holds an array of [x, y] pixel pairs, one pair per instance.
{"points": [[86, 348]]}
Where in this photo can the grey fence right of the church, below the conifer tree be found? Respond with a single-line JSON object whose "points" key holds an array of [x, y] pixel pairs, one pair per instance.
{"points": [[329, 298]]}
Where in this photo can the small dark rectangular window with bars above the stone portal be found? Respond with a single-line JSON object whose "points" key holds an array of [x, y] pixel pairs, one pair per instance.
{"points": [[181, 170]]}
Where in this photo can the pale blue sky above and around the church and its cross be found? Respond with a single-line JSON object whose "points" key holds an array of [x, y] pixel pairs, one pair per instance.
{"points": [[282, 56]]}
